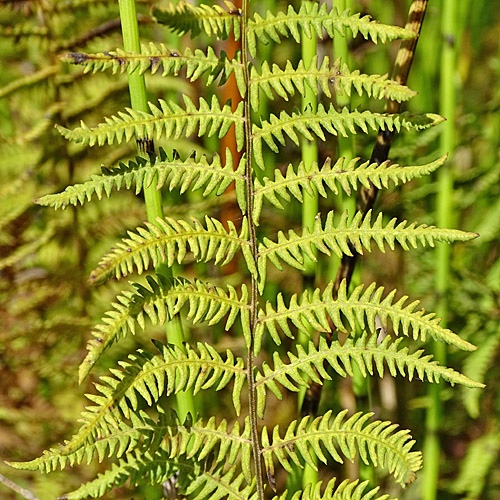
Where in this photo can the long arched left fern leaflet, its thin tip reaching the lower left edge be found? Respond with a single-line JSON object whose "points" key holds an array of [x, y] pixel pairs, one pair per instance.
{"points": [[150, 377]]}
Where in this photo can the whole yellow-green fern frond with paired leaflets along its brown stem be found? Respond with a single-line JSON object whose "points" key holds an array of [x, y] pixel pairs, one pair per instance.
{"points": [[208, 457]]}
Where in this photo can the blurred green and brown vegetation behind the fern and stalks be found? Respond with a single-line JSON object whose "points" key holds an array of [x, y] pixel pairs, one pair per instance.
{"points": [[46, 309]]}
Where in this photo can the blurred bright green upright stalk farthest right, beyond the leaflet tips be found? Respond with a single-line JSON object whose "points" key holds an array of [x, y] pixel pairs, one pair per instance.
{"points": [[447, 99]]}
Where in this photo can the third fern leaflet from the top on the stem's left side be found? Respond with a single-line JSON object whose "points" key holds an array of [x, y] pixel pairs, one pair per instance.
{"points": [[169, 118]]}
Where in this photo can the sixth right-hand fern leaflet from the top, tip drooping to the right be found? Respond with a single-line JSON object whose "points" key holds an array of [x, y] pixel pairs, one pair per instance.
{"points": [[362, 307]]}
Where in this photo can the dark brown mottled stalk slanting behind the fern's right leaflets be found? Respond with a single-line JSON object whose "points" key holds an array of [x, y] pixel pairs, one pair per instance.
{"points": [[380, 154]]}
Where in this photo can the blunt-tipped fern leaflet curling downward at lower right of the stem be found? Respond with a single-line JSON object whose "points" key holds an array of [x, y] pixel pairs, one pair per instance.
{"points": [[376, 442]]}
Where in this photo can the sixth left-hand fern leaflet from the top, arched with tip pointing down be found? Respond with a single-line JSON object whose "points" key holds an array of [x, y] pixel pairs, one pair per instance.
{"points": [[160, 302]]}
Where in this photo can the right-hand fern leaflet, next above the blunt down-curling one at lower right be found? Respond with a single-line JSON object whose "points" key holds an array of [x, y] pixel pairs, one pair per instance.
{"points": [[364, 351]]}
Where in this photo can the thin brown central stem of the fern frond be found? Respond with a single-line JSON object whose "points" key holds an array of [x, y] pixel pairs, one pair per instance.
{"points": [[252, 392]]}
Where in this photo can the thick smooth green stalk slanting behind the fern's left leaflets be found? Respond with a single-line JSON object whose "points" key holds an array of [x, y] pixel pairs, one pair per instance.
{"points": [[153, 198]]}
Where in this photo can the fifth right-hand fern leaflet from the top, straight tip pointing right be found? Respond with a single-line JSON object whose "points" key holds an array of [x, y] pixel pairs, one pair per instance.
{"points": [[348, 236]]}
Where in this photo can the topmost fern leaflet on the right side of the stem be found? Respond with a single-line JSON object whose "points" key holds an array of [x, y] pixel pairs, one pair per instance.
{"points": [[314, 20]]}
